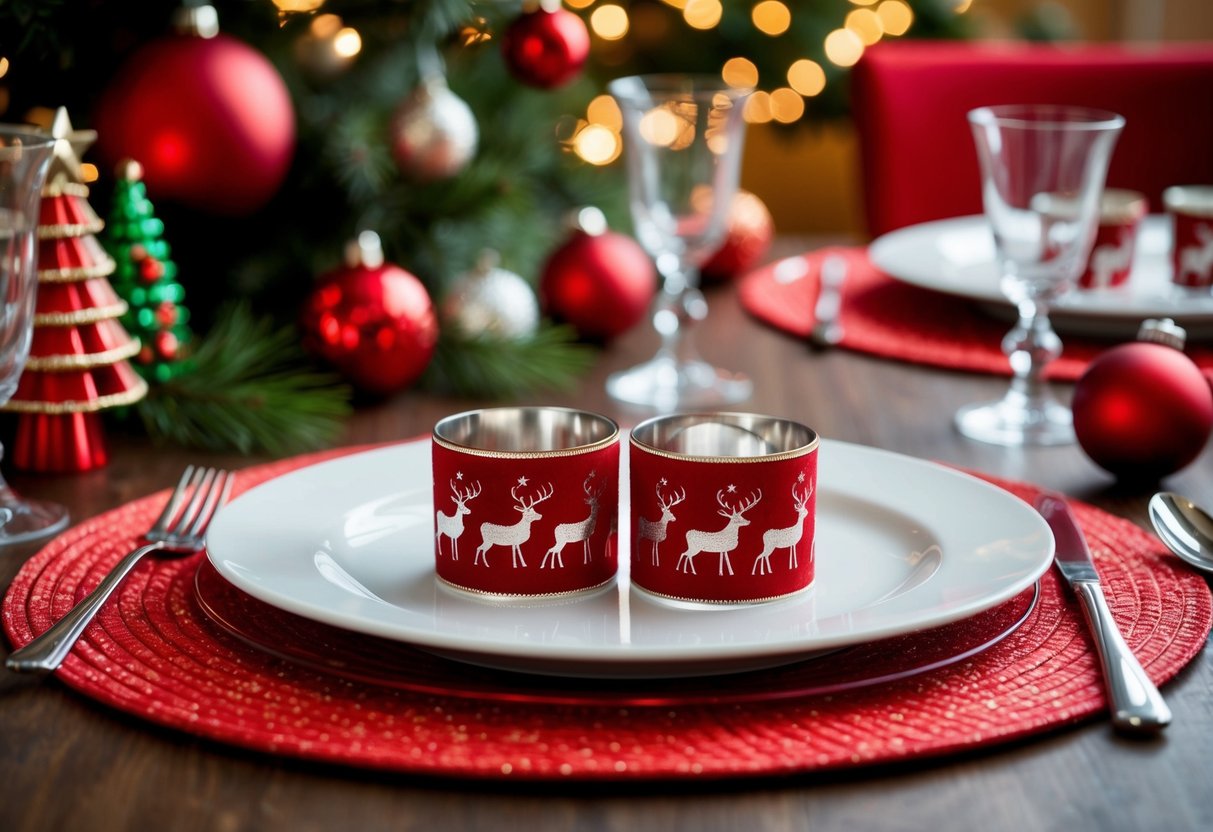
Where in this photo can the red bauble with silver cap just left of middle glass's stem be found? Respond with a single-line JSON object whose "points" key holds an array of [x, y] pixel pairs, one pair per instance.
{"points": [[600, 282]]}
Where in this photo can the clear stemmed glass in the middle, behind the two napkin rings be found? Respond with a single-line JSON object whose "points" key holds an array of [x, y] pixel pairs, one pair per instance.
{"points": [[684, 138]]}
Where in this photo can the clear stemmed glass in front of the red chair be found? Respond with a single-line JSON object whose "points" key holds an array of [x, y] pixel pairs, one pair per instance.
{"points": [[1043, 175]]}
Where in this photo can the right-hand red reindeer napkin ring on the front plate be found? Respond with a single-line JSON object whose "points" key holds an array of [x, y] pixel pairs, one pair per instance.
{"points": [[724, 508]]}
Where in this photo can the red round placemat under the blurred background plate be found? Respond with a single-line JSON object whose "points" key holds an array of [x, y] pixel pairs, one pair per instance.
{"points": [[892, 320]]}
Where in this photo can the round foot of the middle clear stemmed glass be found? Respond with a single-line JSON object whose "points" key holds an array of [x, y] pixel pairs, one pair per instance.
{"points": [[669, 385]]}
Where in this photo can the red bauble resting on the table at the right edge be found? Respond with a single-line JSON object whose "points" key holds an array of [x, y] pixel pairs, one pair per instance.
{"points": [[1144, 411]]}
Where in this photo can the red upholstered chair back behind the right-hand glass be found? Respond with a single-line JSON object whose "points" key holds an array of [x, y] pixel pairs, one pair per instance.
{"points": [[909, 102]]}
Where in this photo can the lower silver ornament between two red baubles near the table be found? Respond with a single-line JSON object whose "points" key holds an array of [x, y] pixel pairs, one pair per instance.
{"points": [[492, 301]]}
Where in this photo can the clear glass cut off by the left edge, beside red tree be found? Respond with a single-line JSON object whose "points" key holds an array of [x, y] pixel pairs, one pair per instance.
{"points": [[24, 163]]}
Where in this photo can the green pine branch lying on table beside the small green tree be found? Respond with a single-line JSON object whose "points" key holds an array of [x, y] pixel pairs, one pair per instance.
{"points": [[250, 391]]}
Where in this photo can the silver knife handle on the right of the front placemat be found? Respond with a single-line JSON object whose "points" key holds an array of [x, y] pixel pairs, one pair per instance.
{"points": [[1137, 705]]}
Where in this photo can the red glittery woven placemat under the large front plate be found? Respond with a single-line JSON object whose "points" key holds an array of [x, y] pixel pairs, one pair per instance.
{"points": [[155, 654]]}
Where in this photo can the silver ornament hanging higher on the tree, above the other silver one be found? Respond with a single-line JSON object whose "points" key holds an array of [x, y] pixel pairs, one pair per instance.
{"points": [[435, 134]]}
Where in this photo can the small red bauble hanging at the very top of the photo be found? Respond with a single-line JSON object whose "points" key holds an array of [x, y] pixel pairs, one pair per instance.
{"points": [[546, 48]]}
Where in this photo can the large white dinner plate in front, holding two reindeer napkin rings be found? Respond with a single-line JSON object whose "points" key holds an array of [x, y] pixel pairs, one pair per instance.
{"points": [[903, 545]]}
